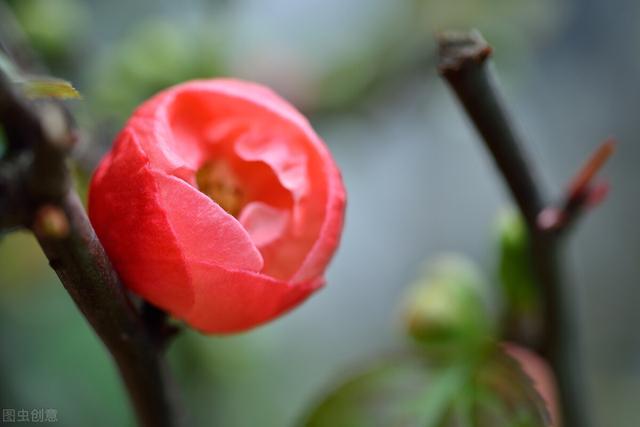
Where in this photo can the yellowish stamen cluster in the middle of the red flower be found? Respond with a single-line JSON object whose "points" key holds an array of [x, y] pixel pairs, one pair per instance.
{"points": [[217, 180]]}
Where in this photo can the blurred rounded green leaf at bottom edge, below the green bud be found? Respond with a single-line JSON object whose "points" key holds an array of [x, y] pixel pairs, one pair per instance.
{"points": [[407, 391]]}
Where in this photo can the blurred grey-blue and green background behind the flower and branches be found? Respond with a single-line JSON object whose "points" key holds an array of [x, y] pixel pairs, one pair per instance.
{"points": [[419, 183]]}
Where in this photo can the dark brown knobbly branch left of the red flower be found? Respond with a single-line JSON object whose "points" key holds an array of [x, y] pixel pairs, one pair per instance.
{"points": [[36, 192]]}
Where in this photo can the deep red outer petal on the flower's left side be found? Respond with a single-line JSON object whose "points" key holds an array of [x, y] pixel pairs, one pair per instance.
{"points": [[125, 211]]}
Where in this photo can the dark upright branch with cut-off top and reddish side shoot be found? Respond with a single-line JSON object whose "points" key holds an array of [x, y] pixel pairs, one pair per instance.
{"points": [[464, 64]]}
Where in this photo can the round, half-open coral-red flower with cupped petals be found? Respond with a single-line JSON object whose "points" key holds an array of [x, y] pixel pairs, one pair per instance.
{"points": [[220, 204]]}
